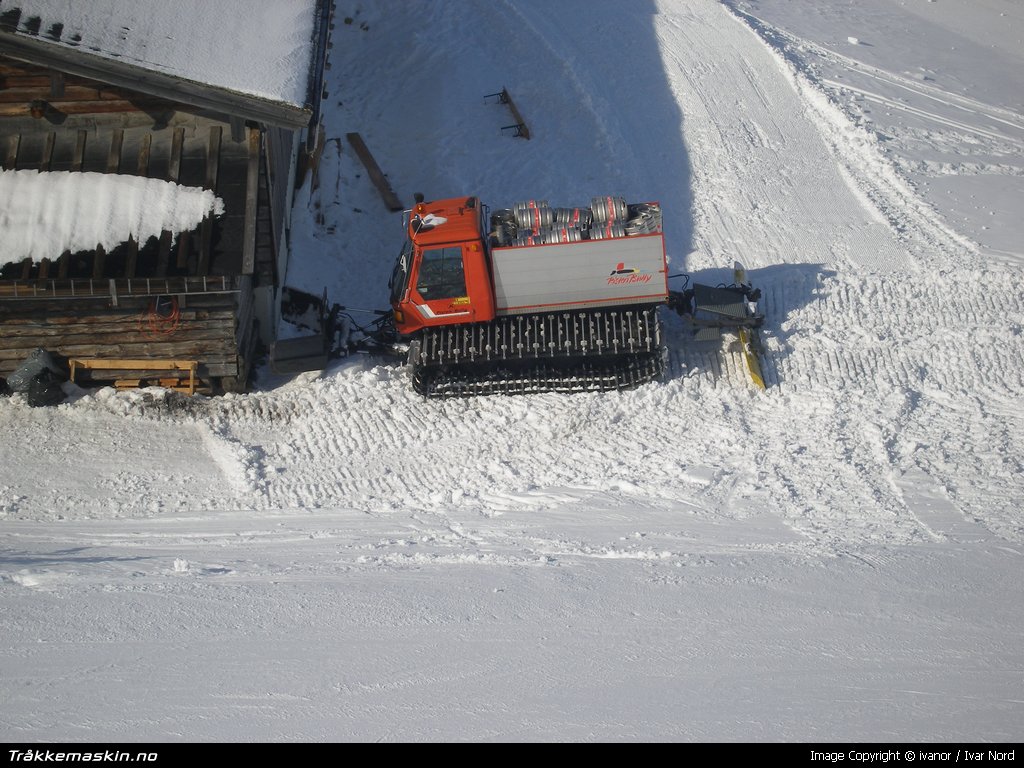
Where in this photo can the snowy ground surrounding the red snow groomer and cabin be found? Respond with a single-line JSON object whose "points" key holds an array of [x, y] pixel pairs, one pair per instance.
{"points": [[838, 559]]}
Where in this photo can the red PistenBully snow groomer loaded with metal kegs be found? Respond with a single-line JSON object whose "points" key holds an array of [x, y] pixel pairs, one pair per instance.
{"points": [[535, 298]]}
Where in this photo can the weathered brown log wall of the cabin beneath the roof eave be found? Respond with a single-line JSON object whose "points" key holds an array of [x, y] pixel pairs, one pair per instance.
{"points": [[55, 122]]}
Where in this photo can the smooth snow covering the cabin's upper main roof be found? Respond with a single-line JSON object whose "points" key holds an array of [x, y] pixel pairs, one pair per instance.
{"points": [[258, 49]]}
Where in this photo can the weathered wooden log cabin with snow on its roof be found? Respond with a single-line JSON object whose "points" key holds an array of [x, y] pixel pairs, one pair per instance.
{"points": [[154, 90]]}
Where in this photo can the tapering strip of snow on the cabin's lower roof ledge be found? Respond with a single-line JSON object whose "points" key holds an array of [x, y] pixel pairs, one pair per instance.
{"points": [[45, 215]]}
